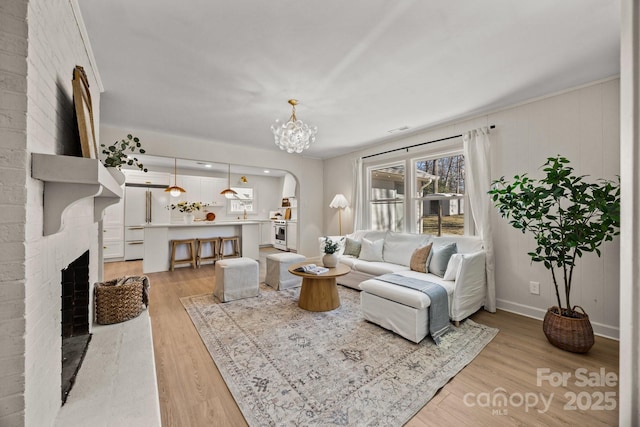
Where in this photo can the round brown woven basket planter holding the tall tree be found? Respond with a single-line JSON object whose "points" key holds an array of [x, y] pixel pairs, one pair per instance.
{"points": [[573, 334]]}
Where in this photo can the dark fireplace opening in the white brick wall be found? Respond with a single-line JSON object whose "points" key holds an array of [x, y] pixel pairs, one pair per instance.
{"points": [[75, 320]]}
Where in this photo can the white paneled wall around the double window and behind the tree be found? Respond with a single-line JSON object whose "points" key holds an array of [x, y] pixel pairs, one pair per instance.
{"points": [[581, 124]]}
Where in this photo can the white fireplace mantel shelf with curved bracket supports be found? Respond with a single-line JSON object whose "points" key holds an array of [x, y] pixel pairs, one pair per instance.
{"points": [[69, 179]]}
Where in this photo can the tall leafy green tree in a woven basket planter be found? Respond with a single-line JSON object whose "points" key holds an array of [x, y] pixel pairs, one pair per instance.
{"points": [[568, 217]]}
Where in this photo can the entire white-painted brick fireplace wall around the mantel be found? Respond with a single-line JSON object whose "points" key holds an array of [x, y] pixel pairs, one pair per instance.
{"points": [[40, 44]]}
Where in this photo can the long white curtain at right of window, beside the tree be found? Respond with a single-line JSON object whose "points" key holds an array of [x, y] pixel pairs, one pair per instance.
{"points": [[478, 180]]}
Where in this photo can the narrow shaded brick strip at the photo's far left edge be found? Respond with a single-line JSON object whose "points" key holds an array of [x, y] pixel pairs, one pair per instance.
{"points": [[13, 165]]}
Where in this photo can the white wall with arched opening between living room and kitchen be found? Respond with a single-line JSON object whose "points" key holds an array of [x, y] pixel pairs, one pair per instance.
{"points": [[308, 171]]}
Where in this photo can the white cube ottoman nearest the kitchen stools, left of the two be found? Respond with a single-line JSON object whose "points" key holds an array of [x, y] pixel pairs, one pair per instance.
{"points": [[236, 278]]}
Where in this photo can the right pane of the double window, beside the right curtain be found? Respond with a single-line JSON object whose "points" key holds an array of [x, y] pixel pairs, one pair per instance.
{"points": [[439, 200]]}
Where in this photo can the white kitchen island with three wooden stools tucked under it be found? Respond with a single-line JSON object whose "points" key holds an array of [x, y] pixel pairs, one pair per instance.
{"points": [[157, 238]]}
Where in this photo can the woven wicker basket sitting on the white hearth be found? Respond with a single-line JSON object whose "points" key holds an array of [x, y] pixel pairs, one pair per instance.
{"points": [[119, 299]]}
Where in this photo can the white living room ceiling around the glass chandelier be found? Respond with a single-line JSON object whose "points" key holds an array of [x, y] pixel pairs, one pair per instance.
{"points": [[224, 70]]}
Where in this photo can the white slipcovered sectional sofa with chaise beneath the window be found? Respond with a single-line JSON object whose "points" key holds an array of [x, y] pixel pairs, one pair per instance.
{"points": [[404, 310]]}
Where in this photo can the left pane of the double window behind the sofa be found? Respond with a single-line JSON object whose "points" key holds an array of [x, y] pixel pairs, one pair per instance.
{"points": [[386, 198]]}
